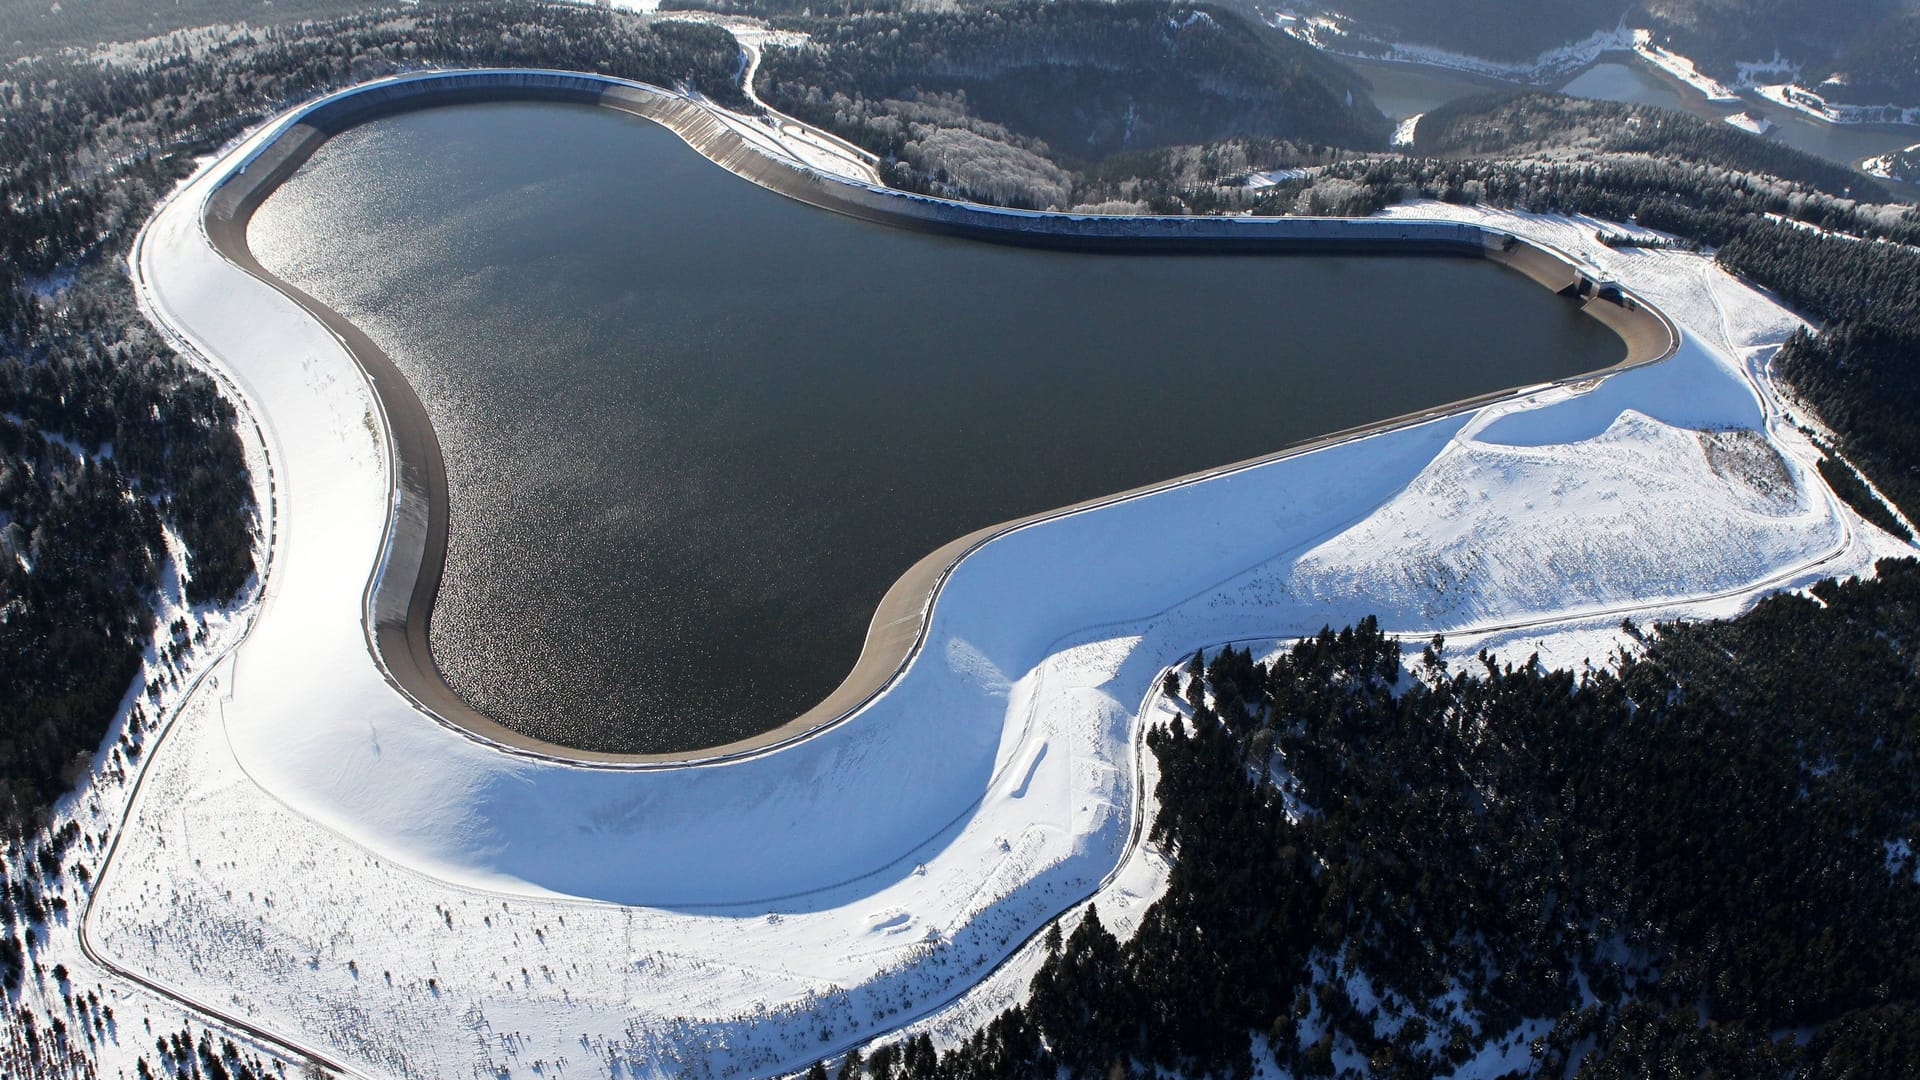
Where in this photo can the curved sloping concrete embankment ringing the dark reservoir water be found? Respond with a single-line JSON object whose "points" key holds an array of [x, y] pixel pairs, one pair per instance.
{"points": [[402, 593]]}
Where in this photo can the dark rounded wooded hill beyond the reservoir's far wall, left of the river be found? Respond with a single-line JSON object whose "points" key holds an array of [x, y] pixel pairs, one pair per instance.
{"points": [[1032, 89]]}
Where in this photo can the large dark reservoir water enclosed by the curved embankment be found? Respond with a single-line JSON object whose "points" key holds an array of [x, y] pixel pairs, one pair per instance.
{"points": [[696, 430]]}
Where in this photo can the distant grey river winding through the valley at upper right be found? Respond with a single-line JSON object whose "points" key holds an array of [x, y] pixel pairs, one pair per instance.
{"points": [[1406, 89]]}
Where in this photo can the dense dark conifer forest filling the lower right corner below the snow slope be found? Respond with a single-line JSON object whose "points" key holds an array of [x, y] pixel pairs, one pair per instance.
{"points": [[1694, 866]]}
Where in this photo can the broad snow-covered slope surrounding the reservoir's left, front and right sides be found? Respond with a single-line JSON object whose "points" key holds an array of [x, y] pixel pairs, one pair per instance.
{"points": [[312, 856]]}
